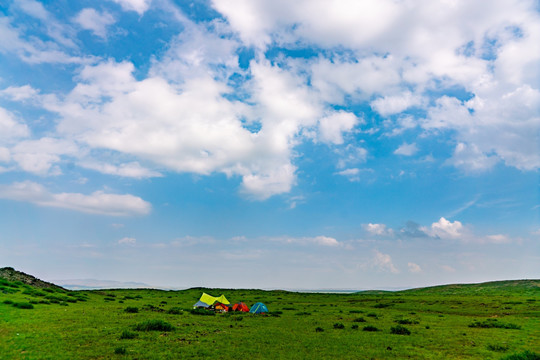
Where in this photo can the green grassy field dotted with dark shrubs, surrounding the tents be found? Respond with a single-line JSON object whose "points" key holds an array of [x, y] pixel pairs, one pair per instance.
{"points": [[498, 320]]}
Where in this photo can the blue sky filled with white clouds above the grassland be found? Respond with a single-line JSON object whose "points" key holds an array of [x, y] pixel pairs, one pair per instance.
{"points": [[271, 144]]}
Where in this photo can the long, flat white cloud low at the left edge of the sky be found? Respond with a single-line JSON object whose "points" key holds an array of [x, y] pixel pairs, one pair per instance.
{"points": [[98, 202]]}
